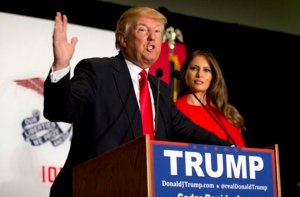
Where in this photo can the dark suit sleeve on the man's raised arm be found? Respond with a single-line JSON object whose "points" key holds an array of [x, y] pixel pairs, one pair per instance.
{"points": [[65, 100]]}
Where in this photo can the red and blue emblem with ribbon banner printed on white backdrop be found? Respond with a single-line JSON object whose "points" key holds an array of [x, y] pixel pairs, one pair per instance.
{"points": [[34, 131]]}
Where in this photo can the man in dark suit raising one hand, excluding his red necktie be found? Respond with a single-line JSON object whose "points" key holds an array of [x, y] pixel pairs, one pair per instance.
{"points": [[102, 100]]}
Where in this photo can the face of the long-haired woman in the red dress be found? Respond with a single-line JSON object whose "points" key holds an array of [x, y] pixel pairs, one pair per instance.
{"points": [[199, 74]]}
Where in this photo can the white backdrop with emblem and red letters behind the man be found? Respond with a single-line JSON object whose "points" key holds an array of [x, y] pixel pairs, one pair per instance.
{"points": [[32, 151]]}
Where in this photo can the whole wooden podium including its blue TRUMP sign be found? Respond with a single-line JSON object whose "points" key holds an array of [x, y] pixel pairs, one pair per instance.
{"points": [[145, 168]]}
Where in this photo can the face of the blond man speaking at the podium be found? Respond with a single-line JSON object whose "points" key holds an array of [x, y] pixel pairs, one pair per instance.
{"points": [[143, 42]]}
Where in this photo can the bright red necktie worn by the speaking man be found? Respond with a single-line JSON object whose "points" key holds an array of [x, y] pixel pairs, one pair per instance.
{"points": [[145, 105]]}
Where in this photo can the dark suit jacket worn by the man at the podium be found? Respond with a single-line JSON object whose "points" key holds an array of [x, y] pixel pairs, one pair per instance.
{"points": [[100, 102]]}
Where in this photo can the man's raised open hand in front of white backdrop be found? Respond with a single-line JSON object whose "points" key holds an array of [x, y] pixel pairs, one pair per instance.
{"points": [[62, 49]]}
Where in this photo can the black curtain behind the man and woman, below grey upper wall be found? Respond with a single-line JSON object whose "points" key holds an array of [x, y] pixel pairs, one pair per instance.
{"points": [[259, 66]]}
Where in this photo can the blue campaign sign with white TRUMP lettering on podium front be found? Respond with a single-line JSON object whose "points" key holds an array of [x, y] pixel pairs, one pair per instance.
{"points": [[197, 170]]}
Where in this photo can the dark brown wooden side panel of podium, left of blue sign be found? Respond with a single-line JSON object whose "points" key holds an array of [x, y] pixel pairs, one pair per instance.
{"points": [[124, 171]]}
